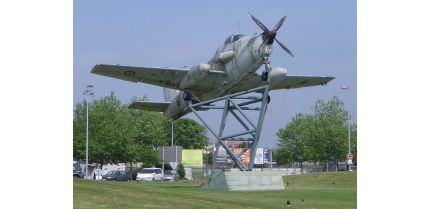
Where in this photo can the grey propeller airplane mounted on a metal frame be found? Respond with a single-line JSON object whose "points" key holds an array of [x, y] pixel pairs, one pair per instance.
{"points": [[232, 69]]}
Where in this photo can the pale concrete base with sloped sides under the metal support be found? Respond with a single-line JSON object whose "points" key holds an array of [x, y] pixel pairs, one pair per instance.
{"points": [[246, 181]]}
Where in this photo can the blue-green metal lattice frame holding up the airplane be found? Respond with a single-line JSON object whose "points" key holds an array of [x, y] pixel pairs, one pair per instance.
{"points": [[236, 109]]}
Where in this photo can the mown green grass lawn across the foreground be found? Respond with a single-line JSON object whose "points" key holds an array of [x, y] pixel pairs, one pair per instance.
{"points": [[317, 191]]}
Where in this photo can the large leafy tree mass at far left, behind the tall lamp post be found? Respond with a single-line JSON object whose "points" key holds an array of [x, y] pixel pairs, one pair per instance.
{"points": [[116, 133]]}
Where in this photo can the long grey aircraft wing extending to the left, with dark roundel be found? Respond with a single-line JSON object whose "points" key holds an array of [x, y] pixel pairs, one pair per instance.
{"points": [[165, 77]]}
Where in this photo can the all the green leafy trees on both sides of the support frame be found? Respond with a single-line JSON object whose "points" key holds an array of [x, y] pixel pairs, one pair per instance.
{"points": [[119, 134]]}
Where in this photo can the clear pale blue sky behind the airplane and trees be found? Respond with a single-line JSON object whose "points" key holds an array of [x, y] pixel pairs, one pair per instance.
{"points": [[321, 34]]}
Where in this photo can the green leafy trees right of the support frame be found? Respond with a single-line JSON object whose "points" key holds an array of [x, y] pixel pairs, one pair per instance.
{"points": [[321, 136]]}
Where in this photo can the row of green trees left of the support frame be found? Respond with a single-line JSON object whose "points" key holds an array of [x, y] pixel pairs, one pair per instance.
{"points": [[118, 134]]}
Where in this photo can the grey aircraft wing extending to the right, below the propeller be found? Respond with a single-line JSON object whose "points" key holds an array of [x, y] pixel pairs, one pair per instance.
{"points": [[287, 82]]}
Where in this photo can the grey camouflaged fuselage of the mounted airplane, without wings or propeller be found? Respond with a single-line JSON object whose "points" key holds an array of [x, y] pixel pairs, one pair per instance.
{"points": [[238, 57]]}
